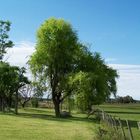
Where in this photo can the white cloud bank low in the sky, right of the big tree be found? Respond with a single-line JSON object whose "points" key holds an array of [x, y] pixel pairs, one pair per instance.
{"points": [[129, 80]]}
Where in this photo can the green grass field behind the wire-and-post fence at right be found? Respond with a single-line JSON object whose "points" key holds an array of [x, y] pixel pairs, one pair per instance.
{"points": [[125, 112]]}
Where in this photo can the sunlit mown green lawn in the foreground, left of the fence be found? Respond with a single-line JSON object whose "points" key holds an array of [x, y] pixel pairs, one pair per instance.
{"points": [[40, 124]]}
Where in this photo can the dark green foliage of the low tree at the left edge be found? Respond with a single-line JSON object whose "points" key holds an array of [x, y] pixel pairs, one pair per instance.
{"points": [[11, 79]]}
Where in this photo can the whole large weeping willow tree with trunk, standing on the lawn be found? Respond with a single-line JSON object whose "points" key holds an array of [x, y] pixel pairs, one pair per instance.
{"points": [[68, 67]]}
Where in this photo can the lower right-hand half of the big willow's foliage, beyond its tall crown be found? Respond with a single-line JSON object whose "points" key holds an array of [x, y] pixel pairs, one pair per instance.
{"points": [[94, 83]]}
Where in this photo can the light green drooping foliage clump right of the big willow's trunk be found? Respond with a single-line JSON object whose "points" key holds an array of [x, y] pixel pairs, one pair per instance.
{"points": [[83, 86]]}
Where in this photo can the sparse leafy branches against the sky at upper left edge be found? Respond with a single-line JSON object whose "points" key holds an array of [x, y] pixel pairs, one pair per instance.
{"points": [[4, 38]]}
